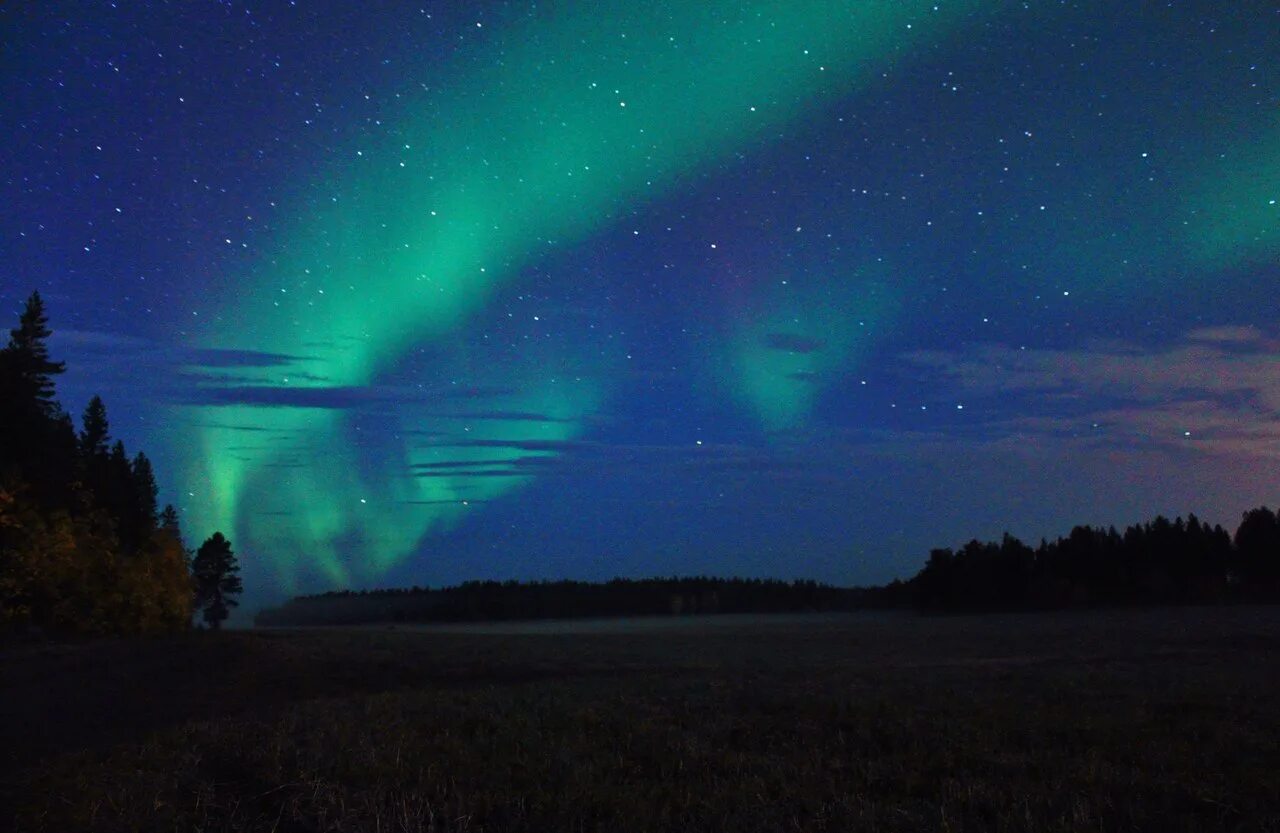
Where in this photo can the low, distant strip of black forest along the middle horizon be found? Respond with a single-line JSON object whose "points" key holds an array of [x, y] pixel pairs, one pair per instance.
{"points": [[490, 601]]}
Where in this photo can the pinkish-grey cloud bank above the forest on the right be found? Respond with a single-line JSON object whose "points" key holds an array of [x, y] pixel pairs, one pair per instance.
{"points": [[1215, 391]]}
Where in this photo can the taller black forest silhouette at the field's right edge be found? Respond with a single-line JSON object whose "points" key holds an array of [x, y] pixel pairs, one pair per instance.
{"points": [[1160, 562]]}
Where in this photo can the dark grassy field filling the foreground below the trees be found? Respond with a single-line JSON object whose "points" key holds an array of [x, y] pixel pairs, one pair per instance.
{"points": [[1132, 721]]}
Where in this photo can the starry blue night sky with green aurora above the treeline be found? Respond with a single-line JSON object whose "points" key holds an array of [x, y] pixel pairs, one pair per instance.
{"points": [[406, 294]]}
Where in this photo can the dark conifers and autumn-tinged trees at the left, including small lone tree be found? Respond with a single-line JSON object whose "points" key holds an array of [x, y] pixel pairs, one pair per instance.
{"points": [[84, 546]]}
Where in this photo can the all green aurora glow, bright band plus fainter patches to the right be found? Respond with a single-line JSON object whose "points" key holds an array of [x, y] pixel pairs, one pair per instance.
{"points": [[552, 130]]}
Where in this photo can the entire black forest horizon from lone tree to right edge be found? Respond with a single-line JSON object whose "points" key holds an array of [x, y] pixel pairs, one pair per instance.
{"points": [[1160, 562]]}
